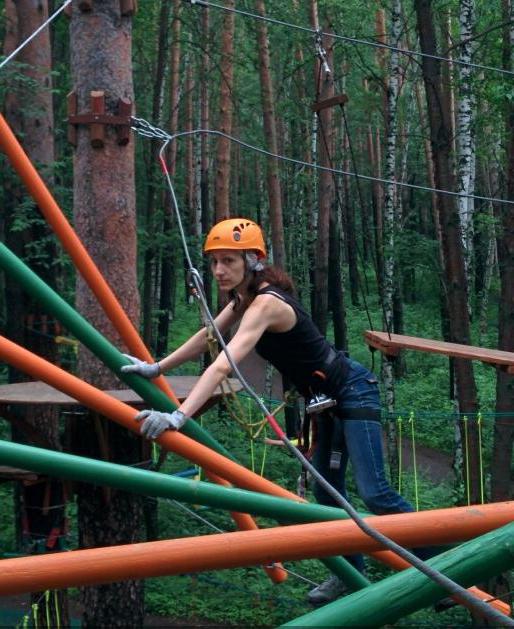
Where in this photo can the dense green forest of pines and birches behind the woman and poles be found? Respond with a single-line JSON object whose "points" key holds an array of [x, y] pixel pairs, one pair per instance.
{"points": [[372, 246]]}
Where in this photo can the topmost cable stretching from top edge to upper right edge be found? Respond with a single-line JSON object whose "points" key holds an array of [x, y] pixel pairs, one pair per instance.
{"points": [[352, 40]]}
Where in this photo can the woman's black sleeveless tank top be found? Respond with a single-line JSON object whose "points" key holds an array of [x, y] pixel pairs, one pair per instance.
{"points": [[301, 351]]}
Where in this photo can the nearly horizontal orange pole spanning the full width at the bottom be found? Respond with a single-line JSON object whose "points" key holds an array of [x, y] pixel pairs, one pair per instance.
{"points": [[243, 548]]}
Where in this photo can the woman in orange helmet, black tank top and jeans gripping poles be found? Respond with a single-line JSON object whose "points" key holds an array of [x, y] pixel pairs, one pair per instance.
{"points": [[272, 321]]}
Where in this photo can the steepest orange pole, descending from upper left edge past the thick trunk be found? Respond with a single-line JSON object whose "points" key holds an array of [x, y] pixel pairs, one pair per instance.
{"points": [[88, 269]]}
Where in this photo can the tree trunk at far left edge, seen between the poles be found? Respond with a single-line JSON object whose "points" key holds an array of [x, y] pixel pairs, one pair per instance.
{"points": [[41, 529]]}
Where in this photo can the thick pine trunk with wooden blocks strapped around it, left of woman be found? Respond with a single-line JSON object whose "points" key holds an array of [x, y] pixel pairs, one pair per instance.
{"points": [[105, 220]]}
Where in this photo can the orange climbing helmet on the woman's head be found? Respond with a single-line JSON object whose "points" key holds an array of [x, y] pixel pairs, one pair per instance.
{"points": [[236, 233]]}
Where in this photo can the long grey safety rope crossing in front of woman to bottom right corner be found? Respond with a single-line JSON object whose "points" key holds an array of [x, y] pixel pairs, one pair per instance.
{"points": [[198, 292]]}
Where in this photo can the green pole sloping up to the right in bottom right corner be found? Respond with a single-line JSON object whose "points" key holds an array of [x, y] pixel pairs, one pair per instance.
{"points": [[397, 596]]}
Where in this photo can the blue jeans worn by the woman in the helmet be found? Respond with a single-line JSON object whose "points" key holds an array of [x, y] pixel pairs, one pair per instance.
{"points": [[360, 442]]}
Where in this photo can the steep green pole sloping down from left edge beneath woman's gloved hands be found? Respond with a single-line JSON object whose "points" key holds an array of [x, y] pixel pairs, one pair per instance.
{"points": [[114, 359]]}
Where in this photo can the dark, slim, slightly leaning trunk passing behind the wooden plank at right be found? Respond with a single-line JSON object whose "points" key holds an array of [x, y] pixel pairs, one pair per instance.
{"points": [[454, 272]]}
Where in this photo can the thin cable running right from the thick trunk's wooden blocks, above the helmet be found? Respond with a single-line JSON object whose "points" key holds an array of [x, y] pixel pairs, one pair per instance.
{"points": [[145, 129]]}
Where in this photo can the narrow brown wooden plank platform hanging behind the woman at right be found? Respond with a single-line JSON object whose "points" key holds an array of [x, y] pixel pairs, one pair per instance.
{"points": [[391, 344]]}
